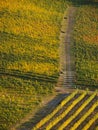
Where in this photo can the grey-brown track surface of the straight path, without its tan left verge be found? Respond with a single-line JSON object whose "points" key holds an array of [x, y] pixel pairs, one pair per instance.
{"points": [[69, 73]]}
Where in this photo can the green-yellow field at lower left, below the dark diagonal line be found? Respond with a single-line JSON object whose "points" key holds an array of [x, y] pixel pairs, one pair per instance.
{"points": [[18, 97]]}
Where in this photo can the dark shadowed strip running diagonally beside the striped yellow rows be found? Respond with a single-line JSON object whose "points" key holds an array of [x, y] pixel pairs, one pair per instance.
{"points": [[48, 108]]}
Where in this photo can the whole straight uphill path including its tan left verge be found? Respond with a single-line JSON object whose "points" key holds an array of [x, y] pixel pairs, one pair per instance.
{"points": [[67, 77]]}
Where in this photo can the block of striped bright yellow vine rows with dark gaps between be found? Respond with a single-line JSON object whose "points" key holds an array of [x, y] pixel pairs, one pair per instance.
{"points": [[78, 111]]}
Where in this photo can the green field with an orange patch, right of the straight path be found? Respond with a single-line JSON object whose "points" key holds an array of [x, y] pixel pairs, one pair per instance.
{"points": [[85, 45]]}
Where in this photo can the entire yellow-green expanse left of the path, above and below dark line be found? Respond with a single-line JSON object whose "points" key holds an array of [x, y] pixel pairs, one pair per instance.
{"points": [[29, 45]]}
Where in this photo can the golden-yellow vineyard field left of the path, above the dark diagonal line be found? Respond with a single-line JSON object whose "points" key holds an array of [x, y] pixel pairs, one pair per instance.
{"points": [[30, 34]]}
